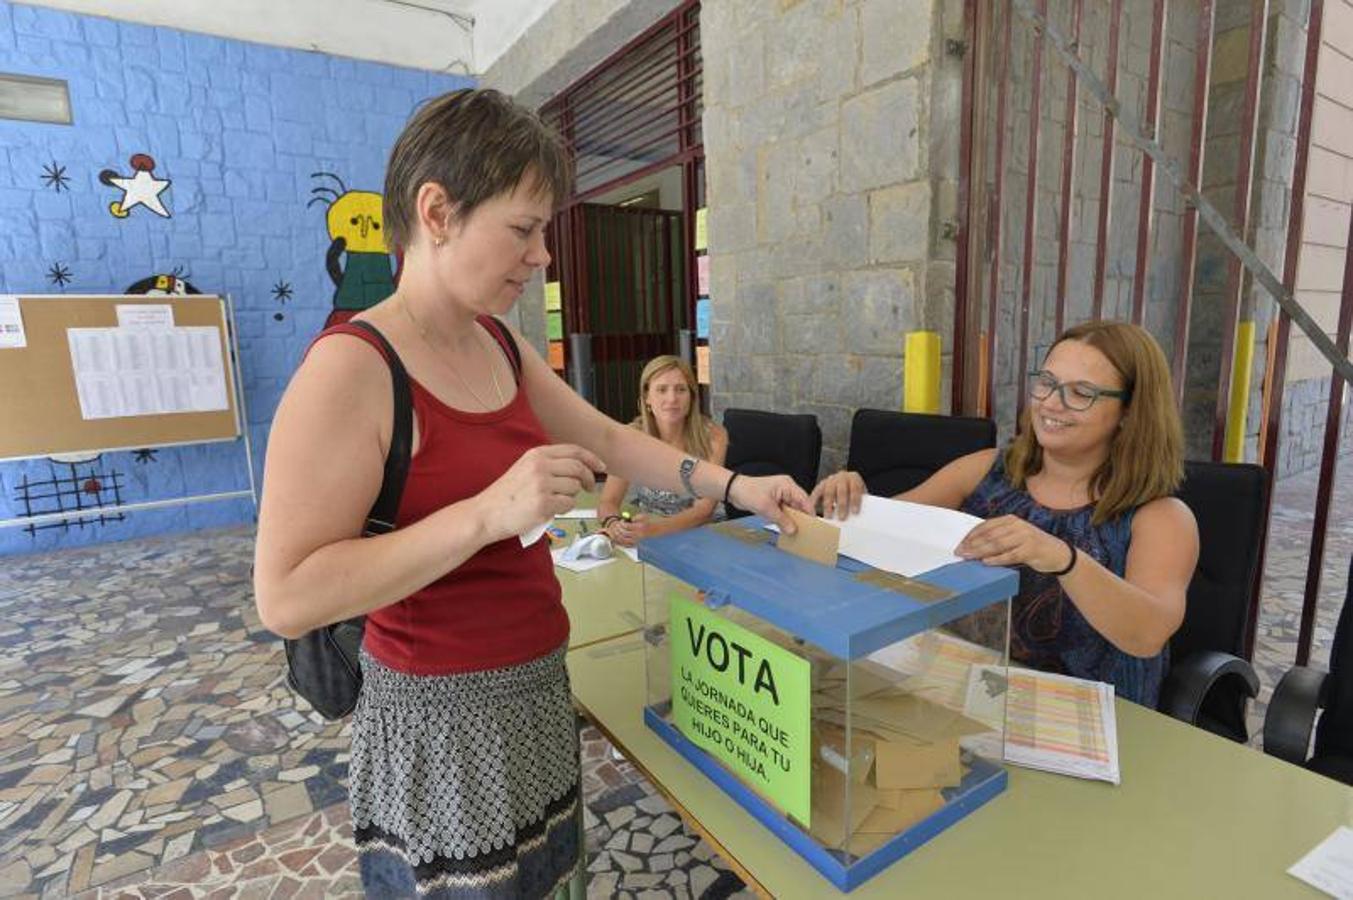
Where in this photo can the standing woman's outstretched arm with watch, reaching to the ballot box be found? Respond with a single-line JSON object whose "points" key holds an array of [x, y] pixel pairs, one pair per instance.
{"points": [[639, 458]]}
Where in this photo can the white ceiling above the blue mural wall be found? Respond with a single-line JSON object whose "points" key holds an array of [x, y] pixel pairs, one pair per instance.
{"points": [[462, 37]]}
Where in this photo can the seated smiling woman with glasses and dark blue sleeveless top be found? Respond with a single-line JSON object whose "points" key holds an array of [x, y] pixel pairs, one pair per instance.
{"points": [[1082, 503]]}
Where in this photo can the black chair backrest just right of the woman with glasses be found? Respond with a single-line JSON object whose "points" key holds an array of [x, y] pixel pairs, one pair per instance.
{"points": [[1228, 501]]}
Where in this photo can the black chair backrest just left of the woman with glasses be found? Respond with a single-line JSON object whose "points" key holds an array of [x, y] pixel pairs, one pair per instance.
{"points": [[898, 451]]}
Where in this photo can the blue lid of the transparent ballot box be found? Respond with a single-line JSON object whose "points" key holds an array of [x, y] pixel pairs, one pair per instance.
{"points": [[830, 607]]}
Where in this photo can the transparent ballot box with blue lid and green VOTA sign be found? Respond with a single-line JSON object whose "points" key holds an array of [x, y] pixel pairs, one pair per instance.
{"points": [[856, 714]]}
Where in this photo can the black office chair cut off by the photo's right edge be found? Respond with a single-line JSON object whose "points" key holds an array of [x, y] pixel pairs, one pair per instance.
{"points": [[1304, 692]]}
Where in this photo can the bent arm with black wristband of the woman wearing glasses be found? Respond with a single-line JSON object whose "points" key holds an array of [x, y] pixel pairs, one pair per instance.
{"points": [[1137, 614]]}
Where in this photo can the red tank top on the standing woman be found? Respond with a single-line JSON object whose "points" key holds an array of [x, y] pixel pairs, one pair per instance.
{"points": [[503, 606]]}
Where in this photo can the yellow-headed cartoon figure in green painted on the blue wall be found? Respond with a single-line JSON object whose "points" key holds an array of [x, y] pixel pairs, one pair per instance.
{"points": [[365, 278]]}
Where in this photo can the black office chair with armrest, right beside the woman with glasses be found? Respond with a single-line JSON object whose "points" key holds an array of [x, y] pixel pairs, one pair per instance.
{"points": [[1210, 683]]}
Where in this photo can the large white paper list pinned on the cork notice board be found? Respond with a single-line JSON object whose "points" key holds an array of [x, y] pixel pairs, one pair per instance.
{"points": [[148, 372]]}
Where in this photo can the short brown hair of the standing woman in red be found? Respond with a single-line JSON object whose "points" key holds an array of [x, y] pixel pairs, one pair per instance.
{"points": [[476, 144]]}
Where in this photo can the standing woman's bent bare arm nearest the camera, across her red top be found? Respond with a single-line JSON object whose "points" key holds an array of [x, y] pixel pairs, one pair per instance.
{"points": [[324, 470]]}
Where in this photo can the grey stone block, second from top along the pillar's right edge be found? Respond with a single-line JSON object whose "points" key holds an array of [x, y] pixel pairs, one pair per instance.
{"points": [[880, 137]]}
